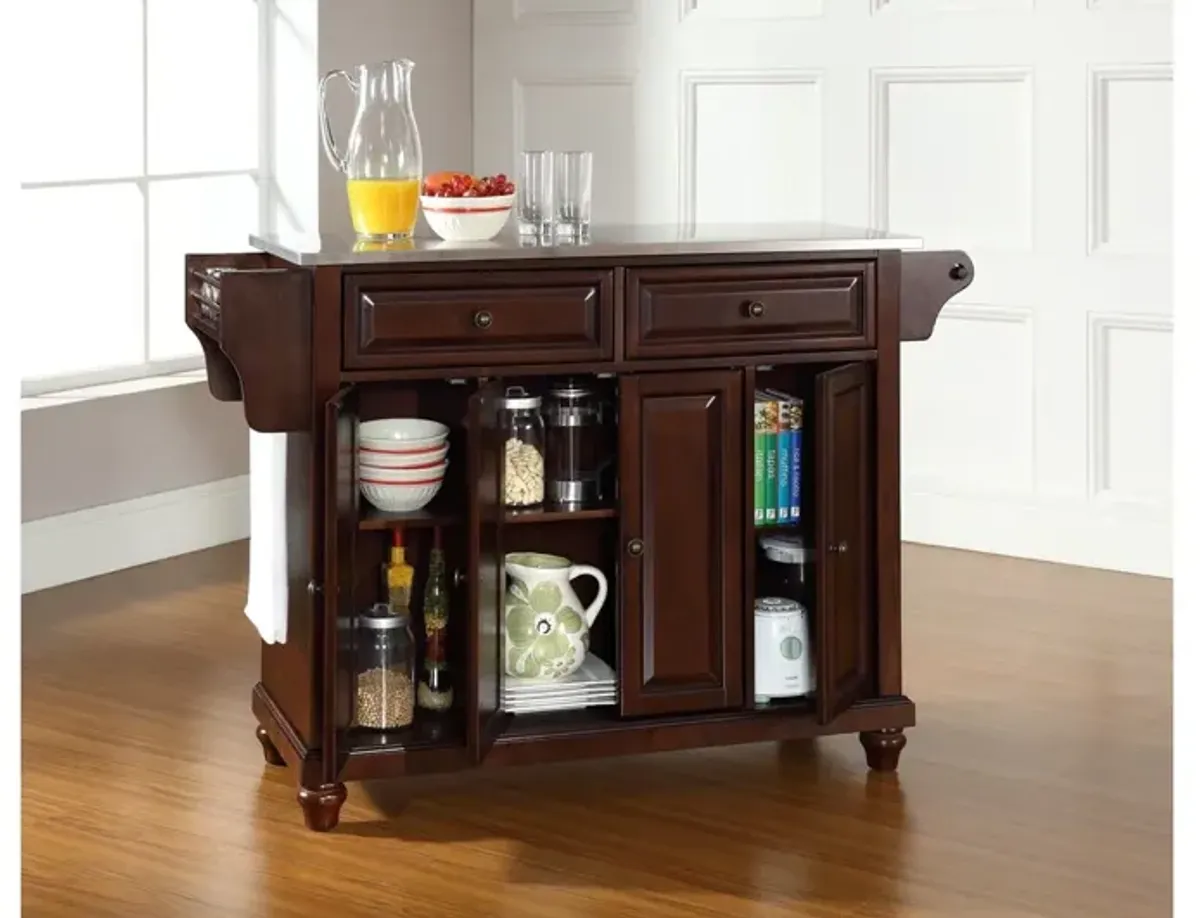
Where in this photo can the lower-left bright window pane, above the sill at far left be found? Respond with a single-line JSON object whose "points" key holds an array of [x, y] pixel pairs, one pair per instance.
{"points": [[86, 248]]}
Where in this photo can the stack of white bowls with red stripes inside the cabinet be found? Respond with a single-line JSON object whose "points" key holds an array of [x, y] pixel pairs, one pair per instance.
{"points": [[403, 463]]}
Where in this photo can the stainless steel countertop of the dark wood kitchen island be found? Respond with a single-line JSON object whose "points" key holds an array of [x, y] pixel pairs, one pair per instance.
{"points": [[605, 242]]}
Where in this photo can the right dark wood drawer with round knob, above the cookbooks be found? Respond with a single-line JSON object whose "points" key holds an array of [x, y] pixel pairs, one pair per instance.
{"points": [[751, 310]]}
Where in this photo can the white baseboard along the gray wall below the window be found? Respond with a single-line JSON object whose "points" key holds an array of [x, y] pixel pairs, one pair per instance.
{"points": [[104, 539]]}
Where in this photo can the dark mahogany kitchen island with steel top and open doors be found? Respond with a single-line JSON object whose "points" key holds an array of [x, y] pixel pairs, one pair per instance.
{"points": [[681, 328]]}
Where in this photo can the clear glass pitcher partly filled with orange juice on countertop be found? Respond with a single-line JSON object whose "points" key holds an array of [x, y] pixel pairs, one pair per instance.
{"points": [[382, 163]]}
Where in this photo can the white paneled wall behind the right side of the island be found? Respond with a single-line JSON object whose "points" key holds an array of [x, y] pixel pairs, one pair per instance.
{"points": [[1034, 134]]}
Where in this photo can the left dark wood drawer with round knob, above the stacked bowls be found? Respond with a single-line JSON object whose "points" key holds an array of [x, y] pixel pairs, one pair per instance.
{"points": [[477, 320]]}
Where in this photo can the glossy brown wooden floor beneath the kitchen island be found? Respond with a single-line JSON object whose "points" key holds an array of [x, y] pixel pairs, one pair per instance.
{"points": [[1037, 782]]}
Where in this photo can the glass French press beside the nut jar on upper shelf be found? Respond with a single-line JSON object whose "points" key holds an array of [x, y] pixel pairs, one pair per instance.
{"points": [[574, 445]]}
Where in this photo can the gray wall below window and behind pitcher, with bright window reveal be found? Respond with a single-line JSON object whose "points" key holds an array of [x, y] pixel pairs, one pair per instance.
{"points": [[88, 454]]}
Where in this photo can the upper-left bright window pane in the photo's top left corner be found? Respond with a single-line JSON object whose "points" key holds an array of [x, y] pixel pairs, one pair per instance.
{"points": [[79, 91]]}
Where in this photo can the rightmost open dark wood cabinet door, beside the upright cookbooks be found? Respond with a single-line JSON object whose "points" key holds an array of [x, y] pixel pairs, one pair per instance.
{"points": [[844, 496]]}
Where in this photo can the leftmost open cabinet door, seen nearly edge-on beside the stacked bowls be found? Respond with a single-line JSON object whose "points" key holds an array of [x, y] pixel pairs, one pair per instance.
{"points": [[341, 521]]}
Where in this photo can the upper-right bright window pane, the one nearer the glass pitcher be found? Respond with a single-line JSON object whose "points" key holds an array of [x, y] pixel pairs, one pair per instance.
{"points": [[203, 67]]}
